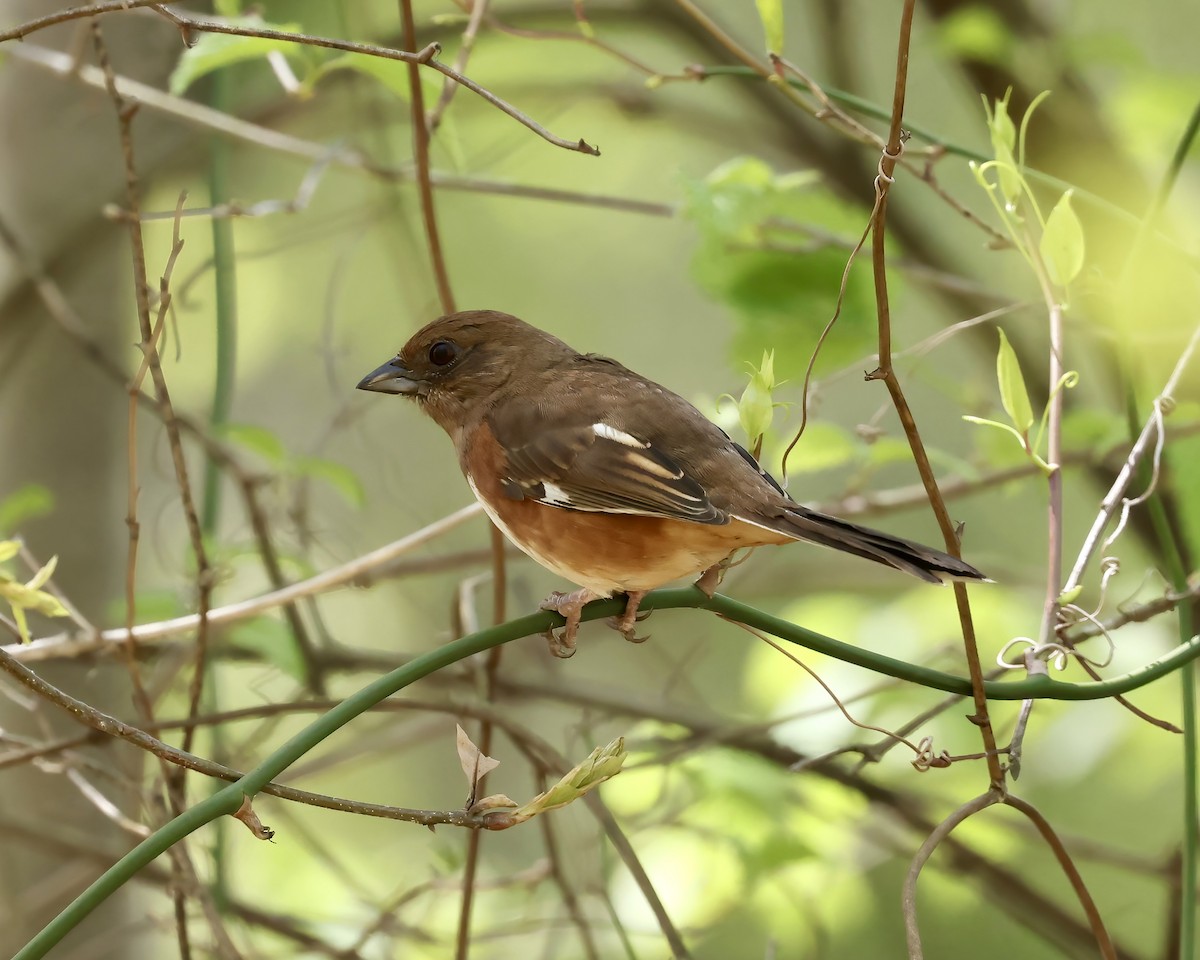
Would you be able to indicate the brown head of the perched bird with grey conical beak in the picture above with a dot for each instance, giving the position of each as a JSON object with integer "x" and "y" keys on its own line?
{"x": 461, "y": 361}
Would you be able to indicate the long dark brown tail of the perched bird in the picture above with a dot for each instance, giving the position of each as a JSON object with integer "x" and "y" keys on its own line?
{"x": 928, "y": 565}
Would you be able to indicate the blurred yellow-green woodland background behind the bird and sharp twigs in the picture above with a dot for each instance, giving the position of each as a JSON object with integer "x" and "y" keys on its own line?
{"x": 748, "y": 209}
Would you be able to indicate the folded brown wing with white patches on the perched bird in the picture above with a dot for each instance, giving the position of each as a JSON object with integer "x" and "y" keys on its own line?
{"x": 601, "y": 469}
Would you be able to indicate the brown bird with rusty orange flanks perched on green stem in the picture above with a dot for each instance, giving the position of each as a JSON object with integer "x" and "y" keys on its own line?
{"x": 607, "y": 478}
